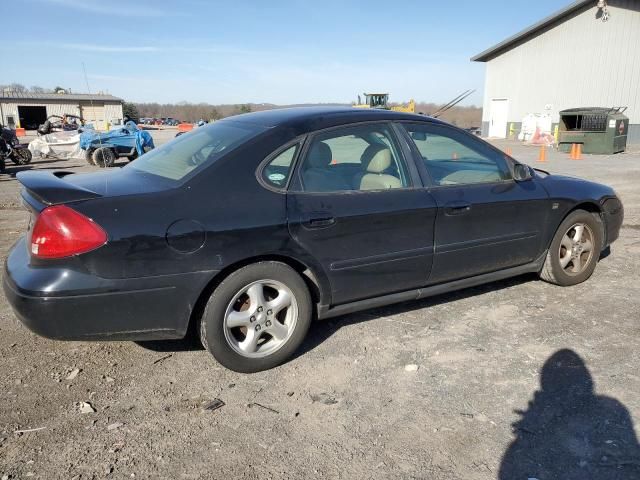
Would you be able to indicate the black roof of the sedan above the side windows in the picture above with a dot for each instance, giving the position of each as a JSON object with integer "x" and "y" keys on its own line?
{"x": 315, "y": 118}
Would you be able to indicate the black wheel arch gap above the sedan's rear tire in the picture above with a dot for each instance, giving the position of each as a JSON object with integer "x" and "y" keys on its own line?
{"x": 305, "y": 272}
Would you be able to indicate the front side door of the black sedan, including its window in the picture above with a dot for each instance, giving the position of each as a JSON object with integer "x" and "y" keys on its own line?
{"x": 486, "y": 220}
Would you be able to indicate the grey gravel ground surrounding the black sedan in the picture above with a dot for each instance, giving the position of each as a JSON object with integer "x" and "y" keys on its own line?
{"x": 427, "y": 389}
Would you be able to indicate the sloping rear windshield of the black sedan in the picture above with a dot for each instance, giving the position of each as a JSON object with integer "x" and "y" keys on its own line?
{"x": 202, "y": 146}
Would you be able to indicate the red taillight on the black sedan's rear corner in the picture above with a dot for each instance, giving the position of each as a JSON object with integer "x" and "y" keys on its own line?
{"x": 60, "y": 232}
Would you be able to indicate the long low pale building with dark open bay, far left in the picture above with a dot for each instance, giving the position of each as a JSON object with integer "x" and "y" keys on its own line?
{"x": 29, "y": 110}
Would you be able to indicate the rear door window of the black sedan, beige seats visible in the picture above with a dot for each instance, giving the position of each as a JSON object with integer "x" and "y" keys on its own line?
{"x": 358, "y": 158}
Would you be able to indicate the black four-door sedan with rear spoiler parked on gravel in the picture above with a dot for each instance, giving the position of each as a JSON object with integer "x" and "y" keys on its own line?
{"x": 251, "y": 227}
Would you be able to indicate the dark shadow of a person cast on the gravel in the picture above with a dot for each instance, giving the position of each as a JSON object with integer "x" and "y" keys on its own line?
{"x": 569, "y": 432}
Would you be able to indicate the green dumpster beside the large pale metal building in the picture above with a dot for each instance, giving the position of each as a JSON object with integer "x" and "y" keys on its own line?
{"x": 599, "y": 130}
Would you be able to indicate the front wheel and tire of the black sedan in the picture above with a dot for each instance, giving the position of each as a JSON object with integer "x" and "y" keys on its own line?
{"x": 575, "y": 249}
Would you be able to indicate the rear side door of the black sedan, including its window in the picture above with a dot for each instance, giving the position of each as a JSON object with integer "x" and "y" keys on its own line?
{"x": 357, "y": 206}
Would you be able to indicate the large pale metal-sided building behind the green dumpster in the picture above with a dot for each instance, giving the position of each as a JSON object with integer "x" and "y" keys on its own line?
{"x": 586, "y": 55}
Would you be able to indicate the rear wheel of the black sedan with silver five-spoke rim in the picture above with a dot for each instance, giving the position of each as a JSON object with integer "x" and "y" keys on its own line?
{"x": 257, "y": 317}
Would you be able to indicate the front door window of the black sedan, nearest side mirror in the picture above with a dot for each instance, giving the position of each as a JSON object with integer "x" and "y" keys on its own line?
{"x": 451, "y": 158}
